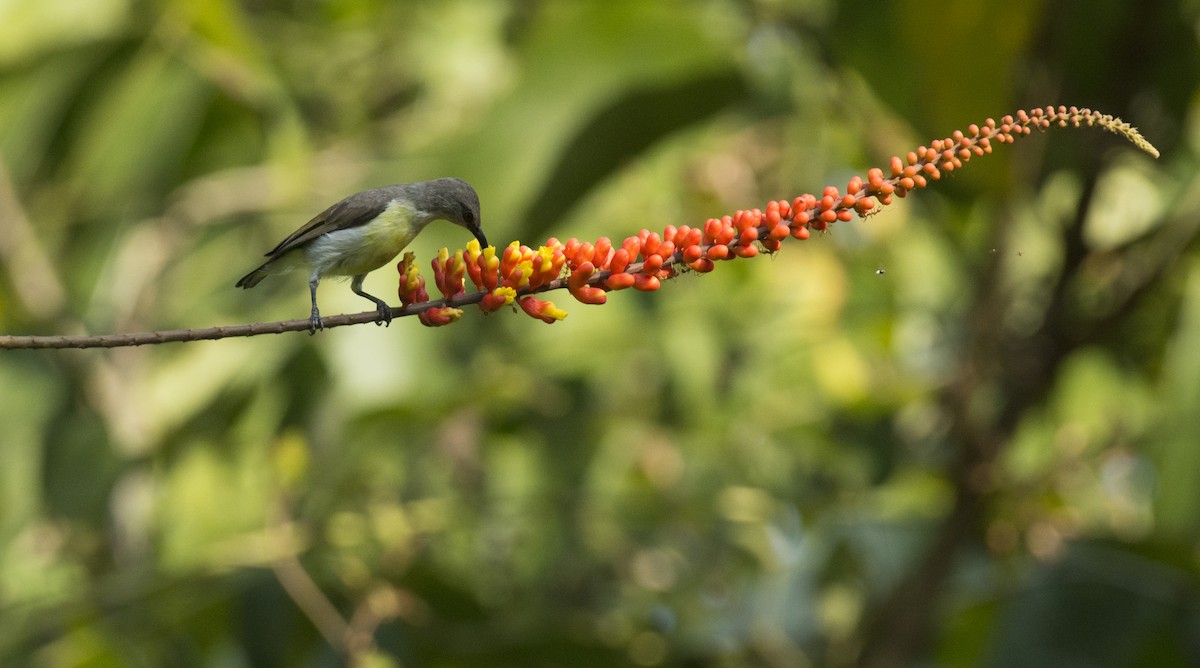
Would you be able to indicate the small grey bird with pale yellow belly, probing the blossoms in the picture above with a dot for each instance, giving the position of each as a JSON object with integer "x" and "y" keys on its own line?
{"x": 365, "y": 232}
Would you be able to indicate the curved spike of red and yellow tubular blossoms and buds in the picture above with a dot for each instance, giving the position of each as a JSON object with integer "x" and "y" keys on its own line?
{"x": 592, "y": 270}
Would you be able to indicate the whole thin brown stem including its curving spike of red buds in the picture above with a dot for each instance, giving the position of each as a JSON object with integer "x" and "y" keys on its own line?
{"x": 751, "y": 231}
